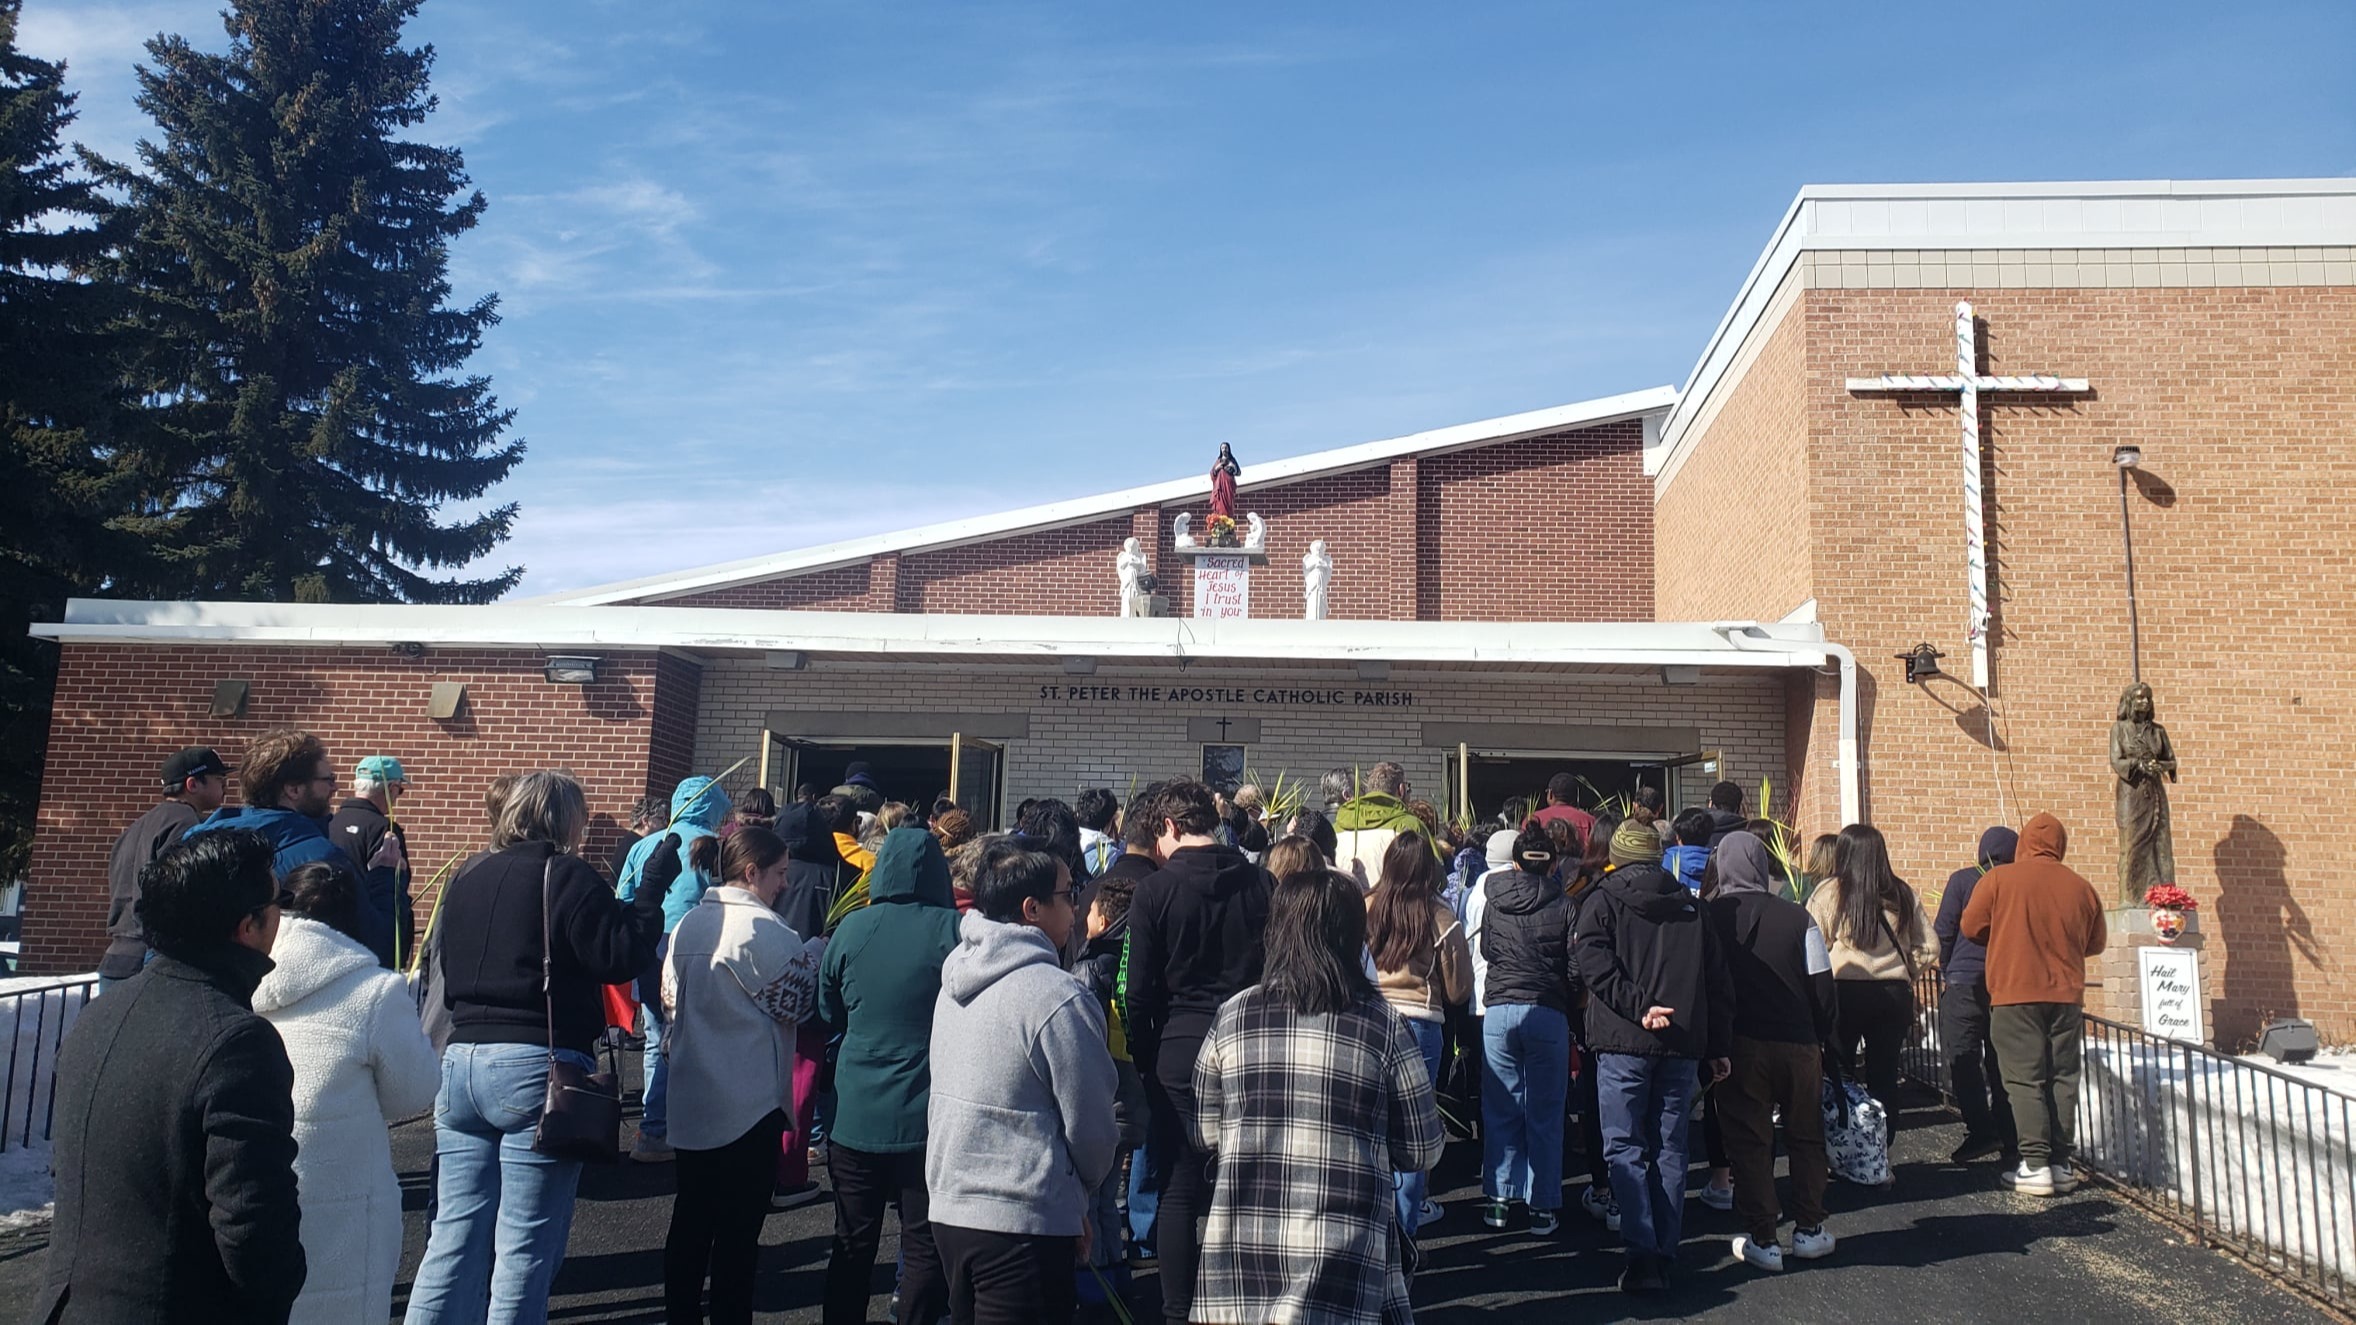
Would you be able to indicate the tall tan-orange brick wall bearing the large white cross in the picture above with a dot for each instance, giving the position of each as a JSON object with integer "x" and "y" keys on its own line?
{"x": 2239, "y": 400}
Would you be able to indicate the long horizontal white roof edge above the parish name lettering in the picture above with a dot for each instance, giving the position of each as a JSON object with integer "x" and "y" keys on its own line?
{"x": 1047, "y": 638}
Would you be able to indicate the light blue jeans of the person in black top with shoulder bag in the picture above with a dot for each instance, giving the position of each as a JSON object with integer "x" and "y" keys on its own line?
{"x": 503, "y": 1213}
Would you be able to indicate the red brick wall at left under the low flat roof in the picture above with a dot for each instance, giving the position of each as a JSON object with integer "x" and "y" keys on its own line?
{"x": 121, "y": 711}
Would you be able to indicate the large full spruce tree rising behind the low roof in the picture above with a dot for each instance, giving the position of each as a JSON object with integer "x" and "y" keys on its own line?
{"x": 289, "y": 258}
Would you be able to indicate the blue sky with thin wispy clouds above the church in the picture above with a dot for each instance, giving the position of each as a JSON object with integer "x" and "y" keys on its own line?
{"x": 779, "y": 275}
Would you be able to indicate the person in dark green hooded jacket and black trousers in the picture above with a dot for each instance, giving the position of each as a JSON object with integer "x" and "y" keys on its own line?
{"x": 878, "y": 984}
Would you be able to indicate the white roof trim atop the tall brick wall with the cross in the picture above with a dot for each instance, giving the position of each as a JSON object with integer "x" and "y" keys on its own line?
{"x": 2112, "y": 213}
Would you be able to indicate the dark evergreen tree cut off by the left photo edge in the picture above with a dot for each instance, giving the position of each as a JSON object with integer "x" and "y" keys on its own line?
{"x": 60, "y": 409}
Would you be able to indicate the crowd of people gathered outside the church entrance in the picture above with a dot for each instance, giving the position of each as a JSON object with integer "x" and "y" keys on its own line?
{"x": 1193, "y": 1031}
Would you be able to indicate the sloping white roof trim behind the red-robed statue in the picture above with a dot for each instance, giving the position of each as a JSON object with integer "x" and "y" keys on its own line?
{"x": 1085, "y": 510}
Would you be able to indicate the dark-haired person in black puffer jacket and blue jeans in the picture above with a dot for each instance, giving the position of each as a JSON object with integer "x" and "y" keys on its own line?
{"x": 1526, "y": 1034}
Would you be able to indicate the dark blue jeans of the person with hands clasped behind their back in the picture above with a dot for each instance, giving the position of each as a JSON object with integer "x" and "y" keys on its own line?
{"x": 1646, "y": 1107}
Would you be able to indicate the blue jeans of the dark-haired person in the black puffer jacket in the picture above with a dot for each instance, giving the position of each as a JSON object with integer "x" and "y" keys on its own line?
{"x": 1523, "y": 1090}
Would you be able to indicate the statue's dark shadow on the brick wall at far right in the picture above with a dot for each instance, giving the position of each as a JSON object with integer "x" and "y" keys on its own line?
{"x": 2263, "y": 928}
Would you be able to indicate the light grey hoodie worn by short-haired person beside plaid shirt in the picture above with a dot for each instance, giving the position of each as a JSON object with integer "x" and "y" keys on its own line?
{"x": 1021, "y": 1119}
